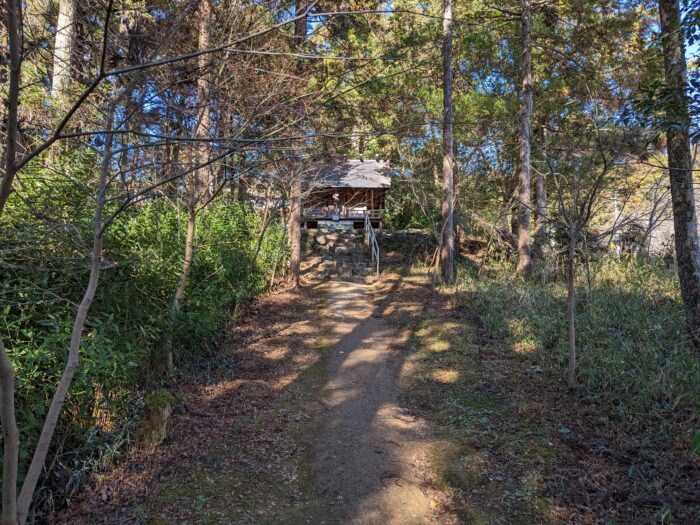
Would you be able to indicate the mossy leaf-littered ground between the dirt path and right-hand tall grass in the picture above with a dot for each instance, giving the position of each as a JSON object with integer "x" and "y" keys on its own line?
{"x": 514, "y": 445}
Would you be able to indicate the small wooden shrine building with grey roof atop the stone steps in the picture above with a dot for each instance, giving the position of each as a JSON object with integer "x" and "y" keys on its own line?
{"x": 345, "y": 192}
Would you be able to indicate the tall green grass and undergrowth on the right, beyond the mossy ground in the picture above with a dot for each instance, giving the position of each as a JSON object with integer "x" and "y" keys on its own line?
{"x": 630, "y": 337}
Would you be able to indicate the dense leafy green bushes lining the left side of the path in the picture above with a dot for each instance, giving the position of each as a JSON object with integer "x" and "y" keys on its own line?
{"x": 44, "y": 269}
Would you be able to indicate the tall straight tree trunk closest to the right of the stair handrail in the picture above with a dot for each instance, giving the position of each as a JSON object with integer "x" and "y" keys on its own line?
{"x": 447, "y": 253}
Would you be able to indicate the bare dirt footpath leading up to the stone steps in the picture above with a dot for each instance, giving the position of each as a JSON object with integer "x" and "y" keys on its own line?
{"x": 367, "y": 458}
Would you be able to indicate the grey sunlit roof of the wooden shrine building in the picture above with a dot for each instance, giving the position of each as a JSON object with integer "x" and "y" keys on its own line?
{"x": 354, "y": 173}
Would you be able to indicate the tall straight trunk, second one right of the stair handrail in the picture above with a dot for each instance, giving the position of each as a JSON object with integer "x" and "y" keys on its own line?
{"x": 524, "y": 255}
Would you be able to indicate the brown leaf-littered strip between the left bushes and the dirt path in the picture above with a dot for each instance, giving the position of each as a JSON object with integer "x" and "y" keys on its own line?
{"x": 230, "y": 456}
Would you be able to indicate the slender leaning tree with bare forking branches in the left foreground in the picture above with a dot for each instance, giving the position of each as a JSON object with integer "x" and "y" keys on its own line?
{"x": 16, "y": 509}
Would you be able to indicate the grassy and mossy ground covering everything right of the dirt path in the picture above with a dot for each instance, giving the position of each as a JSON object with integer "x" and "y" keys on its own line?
{"x": 486, "y": 365}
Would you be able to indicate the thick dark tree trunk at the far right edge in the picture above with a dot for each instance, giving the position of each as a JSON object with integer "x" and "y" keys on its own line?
{"x": 680, "y": 165}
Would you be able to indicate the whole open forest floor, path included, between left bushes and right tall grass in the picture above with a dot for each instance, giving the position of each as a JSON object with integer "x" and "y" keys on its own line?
{"x": 301, "y": 418}
